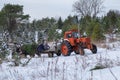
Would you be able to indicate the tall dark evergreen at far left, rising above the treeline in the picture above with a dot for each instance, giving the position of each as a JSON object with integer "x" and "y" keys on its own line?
{"x": 12, "y": 16}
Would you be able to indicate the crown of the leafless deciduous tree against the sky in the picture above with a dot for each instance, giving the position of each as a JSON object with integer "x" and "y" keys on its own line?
{"x": 88, "y": 7}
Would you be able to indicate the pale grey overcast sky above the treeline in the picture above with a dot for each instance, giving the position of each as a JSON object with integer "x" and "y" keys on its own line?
{"x": 38, "y": 9}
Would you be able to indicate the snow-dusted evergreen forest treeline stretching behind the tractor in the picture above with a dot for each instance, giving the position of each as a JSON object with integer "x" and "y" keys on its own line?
{"x": 16, "y": 26}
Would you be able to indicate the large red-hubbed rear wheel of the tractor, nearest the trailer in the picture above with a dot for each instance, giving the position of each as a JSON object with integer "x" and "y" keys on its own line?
{"x": 66, "y": 48}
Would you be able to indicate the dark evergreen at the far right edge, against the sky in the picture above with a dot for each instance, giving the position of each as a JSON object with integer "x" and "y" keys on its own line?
{"x": 111, "y": 21}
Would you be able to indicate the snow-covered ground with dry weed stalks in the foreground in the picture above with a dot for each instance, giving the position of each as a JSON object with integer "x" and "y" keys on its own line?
{"x": 74, "y": 67}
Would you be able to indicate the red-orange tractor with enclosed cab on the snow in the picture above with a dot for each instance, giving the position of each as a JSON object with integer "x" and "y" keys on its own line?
{"x": 74, "y": 42}
